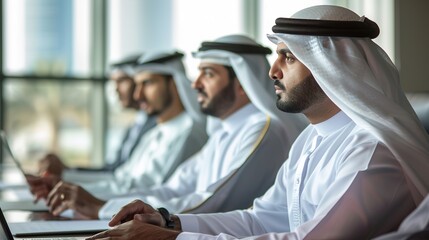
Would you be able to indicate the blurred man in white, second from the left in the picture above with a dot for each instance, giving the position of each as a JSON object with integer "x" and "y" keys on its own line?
{"x": 162, "y": 90}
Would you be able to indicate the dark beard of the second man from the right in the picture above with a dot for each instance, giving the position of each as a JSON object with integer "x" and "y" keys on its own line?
{"x": 221, "y": 102}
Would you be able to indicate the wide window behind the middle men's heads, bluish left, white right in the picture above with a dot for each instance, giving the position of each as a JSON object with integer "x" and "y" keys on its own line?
{"x": 137, "y": 26}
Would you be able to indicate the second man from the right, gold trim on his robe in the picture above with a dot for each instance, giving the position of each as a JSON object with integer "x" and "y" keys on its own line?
{"x": 250, "y": 137}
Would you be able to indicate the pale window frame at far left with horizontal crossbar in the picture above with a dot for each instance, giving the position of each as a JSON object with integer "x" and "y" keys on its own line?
{"x": 97, "y": 76}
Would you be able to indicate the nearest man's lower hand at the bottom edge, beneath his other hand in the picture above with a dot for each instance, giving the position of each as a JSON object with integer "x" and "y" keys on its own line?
{"x": 136, "y": 230}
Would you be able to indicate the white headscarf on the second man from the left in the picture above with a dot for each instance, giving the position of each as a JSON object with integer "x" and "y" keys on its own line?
{"x": 170, "y": 63}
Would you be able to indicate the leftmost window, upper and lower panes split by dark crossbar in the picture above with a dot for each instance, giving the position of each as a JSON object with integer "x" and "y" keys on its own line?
{"x": 50, "y": 91}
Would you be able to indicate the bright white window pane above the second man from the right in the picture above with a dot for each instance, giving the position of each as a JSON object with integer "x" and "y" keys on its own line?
{"x": 196, "y": 21}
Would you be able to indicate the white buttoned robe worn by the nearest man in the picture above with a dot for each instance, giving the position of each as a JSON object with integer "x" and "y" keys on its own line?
{"x": 351, "y": 188}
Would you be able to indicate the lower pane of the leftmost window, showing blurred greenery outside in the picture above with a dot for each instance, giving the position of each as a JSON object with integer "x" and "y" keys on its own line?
{"x": 46, "y": 116}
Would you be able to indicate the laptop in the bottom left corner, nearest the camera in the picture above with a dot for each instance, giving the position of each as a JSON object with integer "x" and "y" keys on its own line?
{"x": 6, "y": 233}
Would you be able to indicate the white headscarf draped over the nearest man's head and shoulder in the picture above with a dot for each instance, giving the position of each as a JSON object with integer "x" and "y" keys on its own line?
{"x": 358, "y": 76}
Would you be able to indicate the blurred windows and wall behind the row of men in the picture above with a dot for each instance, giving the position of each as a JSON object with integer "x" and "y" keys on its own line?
{"x": 54, "y": 92}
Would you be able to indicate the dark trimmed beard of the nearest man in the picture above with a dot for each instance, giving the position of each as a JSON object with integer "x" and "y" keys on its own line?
{"x": 301, "y": 97}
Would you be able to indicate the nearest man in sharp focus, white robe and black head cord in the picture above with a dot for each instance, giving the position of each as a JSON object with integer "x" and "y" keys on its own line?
{"x": 355, "y": 172}
